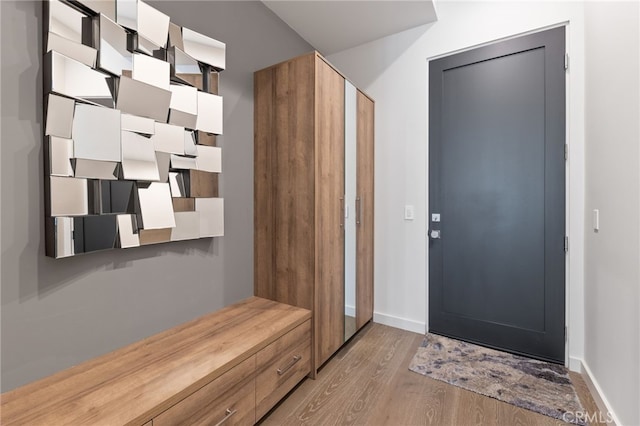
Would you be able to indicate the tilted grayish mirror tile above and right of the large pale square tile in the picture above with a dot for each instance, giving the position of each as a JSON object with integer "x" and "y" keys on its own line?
{"x": 145, "y": 100}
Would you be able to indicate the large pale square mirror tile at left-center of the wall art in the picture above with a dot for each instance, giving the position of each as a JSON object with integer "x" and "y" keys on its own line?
{"x": 96, "y": 133}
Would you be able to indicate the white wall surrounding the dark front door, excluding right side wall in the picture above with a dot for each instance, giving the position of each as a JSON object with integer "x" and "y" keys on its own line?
{"x": 393, "y": 70}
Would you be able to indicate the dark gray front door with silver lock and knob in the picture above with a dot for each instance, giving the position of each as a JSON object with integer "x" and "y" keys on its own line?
{"x": 497, "y": 180}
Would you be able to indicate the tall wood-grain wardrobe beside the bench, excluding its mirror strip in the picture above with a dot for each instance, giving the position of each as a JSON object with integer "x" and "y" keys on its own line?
{"x": 299, "y": 196}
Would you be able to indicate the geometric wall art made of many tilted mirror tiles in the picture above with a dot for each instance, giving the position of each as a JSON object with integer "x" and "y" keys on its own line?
{"x": 131, "y": 111}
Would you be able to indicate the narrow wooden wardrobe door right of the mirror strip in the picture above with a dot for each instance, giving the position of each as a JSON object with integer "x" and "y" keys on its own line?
{"x": 364, "y": 191}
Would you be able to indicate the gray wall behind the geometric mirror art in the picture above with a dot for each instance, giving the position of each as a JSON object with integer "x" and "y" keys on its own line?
{"x": 57, "y": 313}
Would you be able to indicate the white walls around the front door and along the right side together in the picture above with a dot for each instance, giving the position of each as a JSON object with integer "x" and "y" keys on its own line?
{"x": 603, "y": 107}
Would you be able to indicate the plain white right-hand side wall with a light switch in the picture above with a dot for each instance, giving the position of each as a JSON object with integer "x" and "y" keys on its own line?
{"x": 612, "y": 255}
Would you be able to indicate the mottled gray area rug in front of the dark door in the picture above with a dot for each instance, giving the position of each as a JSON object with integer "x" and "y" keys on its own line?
{"x": 527, "y": 383}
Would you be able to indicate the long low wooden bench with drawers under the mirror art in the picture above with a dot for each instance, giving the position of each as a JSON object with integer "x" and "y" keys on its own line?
{"x": 230, "y": 366}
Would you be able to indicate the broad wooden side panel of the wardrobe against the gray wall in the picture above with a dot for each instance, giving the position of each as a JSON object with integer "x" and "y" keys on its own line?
{"x": 284, "y": 185}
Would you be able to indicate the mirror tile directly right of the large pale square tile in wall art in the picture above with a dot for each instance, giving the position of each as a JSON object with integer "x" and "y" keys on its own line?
{"x": 138, "y": 158}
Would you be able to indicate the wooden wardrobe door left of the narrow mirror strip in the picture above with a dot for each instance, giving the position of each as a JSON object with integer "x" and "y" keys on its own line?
{"x": 329, "y": 194}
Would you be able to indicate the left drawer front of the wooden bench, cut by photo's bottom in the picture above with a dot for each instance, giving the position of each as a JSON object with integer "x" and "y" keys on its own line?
{"x": 233, "y": 391}
